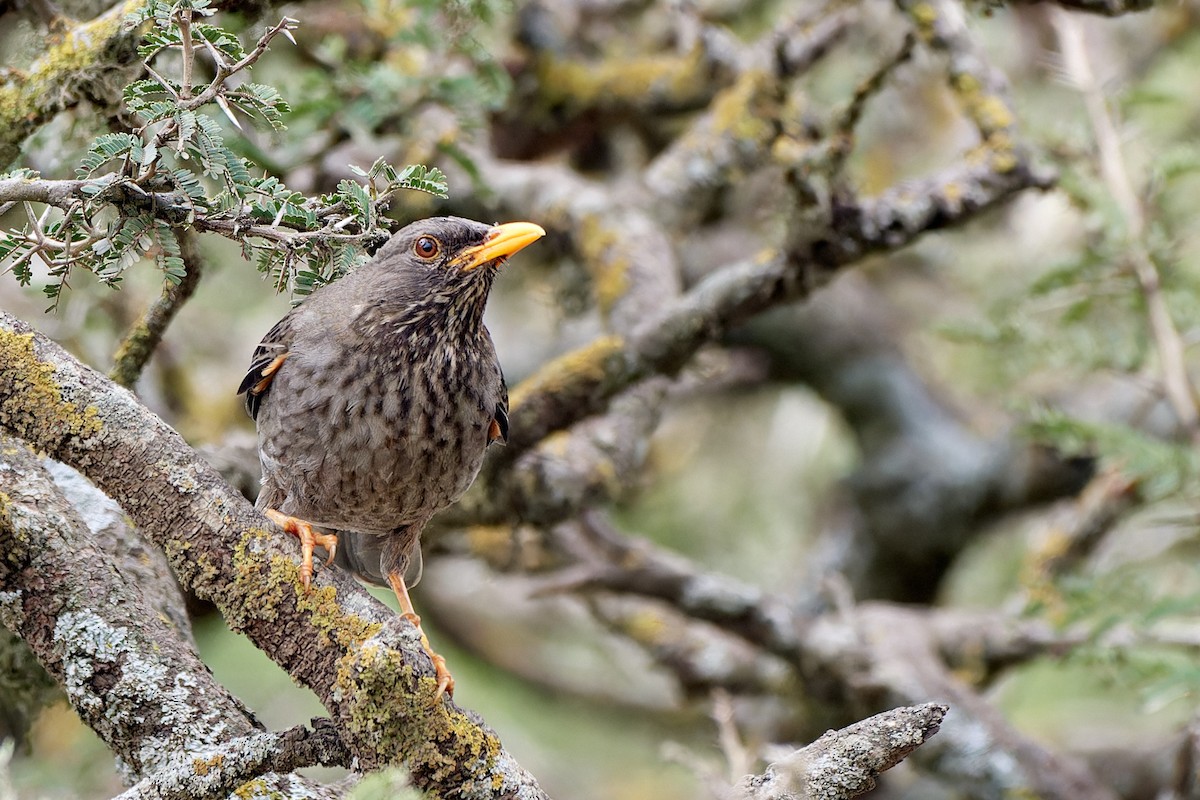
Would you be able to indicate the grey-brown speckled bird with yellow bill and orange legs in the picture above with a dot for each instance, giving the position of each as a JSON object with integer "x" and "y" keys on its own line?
{"x": 376, "y": 399}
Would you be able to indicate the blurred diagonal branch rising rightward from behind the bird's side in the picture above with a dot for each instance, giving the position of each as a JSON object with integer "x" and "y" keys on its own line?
{"x": 581, "y": 383}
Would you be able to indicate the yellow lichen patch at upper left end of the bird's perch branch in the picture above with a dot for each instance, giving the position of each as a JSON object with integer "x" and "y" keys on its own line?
{"x": 32, "y": 401}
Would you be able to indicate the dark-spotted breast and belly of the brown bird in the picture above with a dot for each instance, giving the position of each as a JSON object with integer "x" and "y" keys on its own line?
{"x": 374, "y": 443}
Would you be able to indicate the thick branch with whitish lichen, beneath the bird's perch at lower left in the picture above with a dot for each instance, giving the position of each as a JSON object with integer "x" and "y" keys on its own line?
{"x": 128, "y": 673}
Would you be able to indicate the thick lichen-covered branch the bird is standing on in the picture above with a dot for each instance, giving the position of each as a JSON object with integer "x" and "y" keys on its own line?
{"x": 364, "y": 663}
